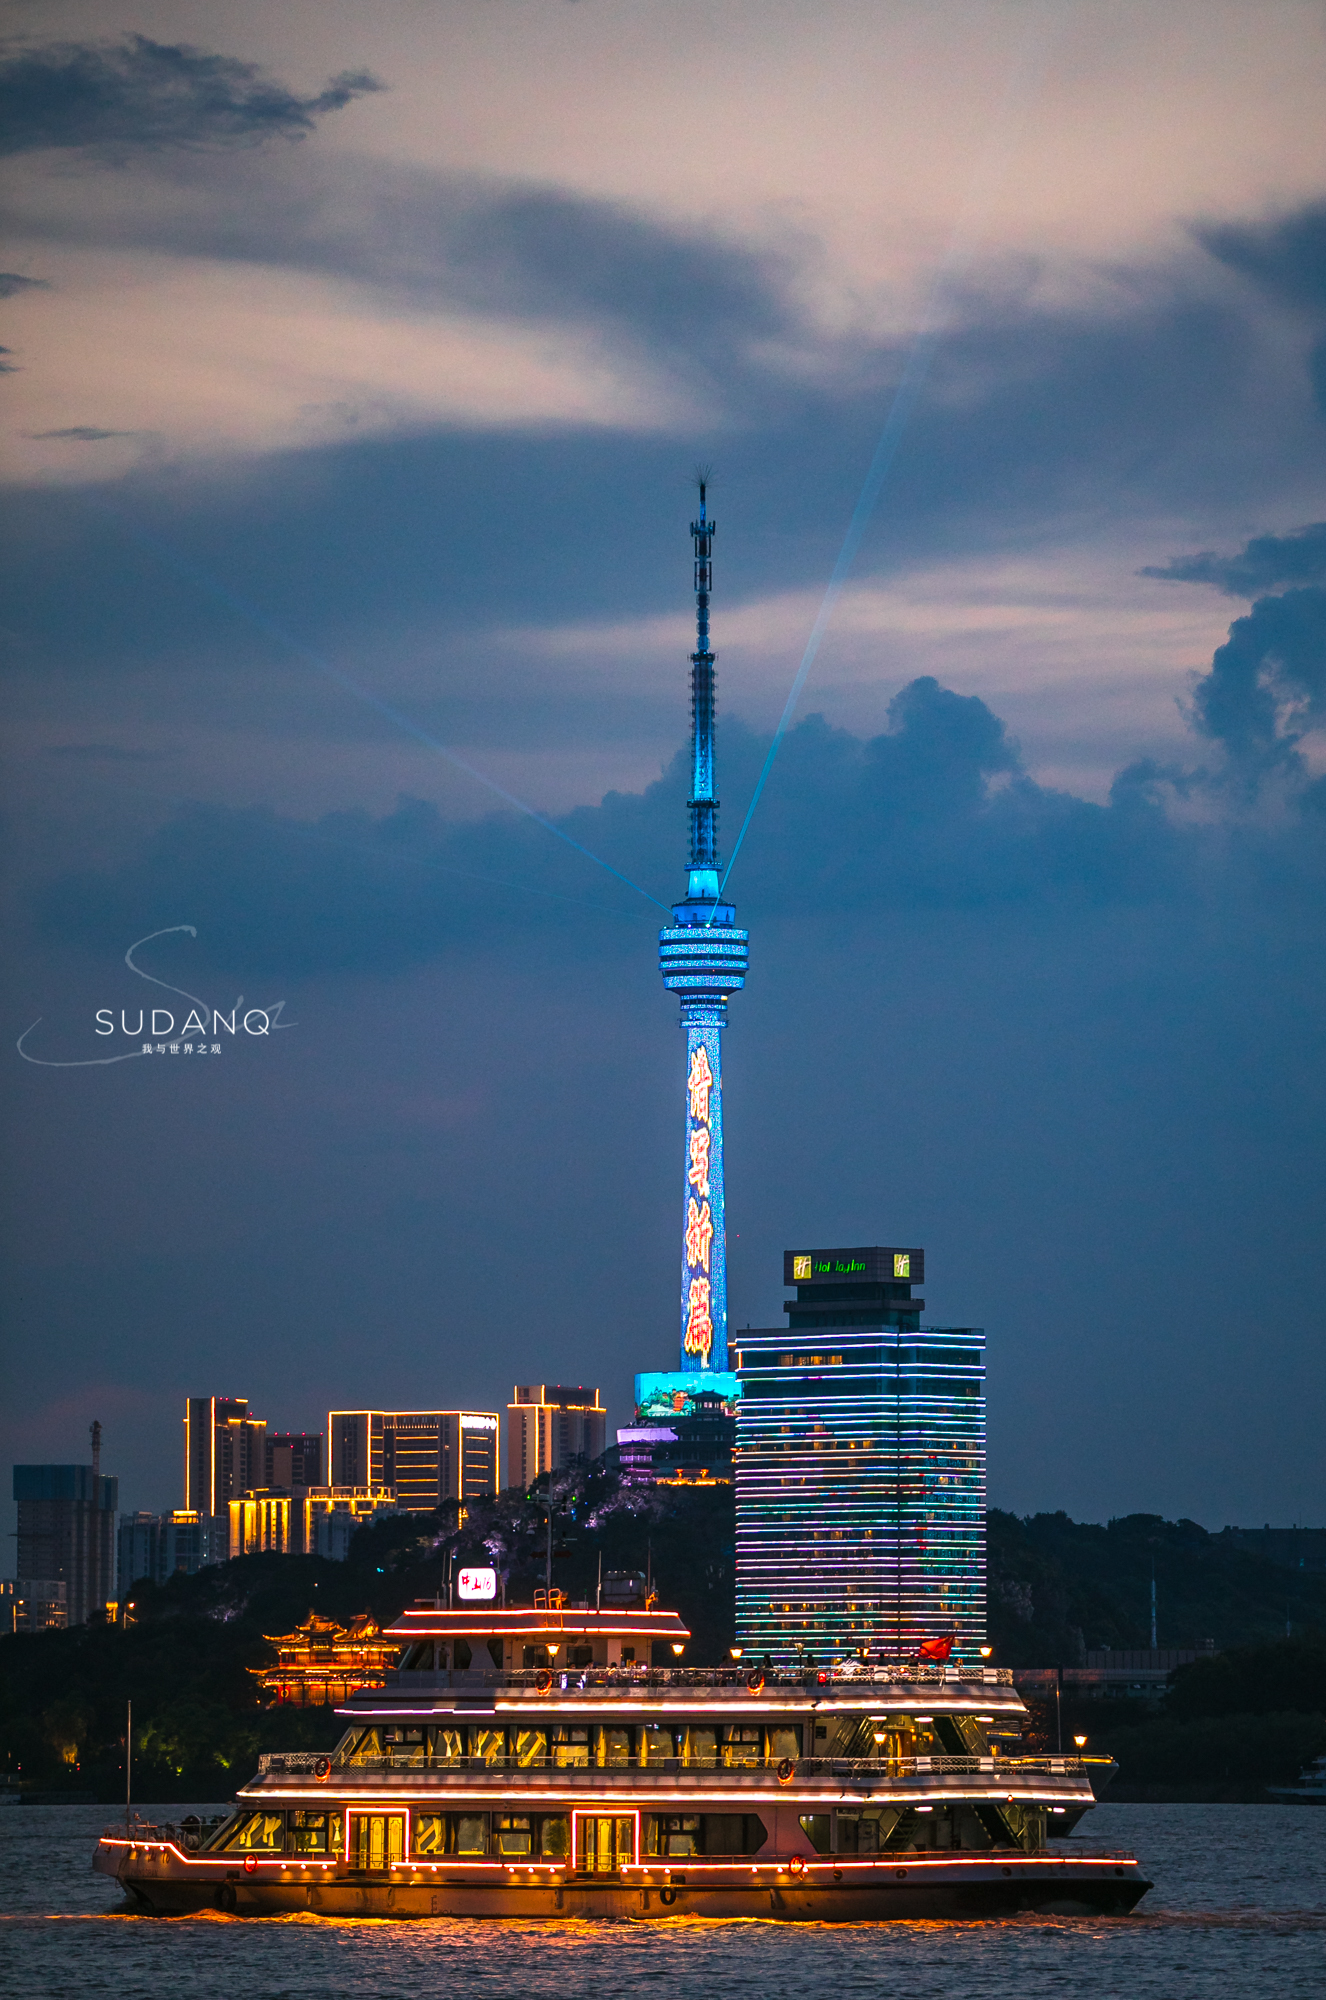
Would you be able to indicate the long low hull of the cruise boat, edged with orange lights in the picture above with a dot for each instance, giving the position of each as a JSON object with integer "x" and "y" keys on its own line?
{"x": 961, "y": 1889}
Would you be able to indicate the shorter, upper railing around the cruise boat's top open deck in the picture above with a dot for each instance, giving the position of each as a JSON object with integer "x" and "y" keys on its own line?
{"x": 737, "y": 1679}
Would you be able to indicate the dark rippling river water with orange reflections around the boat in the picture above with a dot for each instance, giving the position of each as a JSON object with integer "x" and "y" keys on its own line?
{"x": 1239, "y": 1909}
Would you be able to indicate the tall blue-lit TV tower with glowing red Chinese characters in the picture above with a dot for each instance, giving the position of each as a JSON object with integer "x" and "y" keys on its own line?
{"x": 703, "y": 959}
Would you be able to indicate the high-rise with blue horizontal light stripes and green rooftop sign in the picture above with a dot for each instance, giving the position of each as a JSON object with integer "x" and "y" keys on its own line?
{"x": 861, "y": 1469}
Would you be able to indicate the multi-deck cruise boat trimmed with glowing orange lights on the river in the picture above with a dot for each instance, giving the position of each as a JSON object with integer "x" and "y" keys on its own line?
{"x": 545, "y": 1763}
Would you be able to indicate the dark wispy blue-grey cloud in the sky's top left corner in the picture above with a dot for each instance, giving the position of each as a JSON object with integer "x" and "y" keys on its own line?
{"x": 133, "y": 97}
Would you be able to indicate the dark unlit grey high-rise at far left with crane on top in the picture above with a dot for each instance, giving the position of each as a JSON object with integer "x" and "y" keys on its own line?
{"x": 67, "y": 1535}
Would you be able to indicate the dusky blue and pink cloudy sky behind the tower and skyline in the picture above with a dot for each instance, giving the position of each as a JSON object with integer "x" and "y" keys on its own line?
{"x": 357, "y": 361}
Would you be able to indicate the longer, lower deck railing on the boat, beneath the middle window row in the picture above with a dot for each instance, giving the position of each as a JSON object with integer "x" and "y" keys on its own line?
{"x": 917, "y": 1769}
